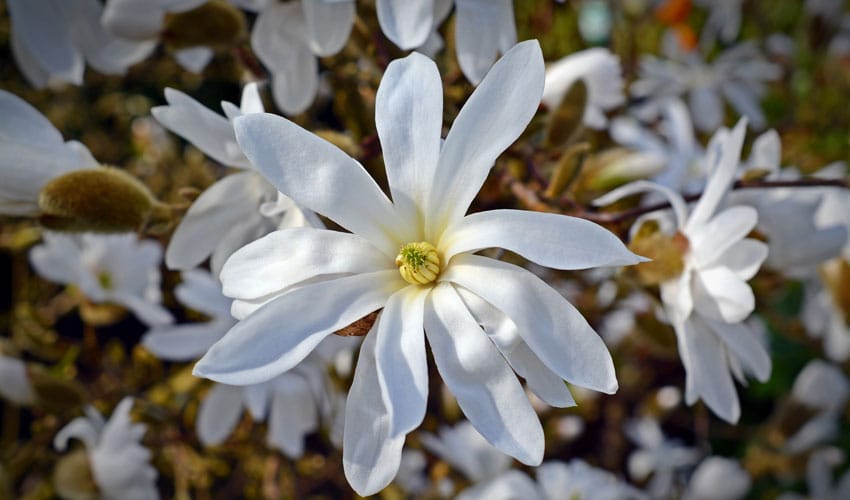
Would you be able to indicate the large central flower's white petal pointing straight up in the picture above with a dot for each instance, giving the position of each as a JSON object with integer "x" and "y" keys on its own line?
{"x": 408, "y": 116}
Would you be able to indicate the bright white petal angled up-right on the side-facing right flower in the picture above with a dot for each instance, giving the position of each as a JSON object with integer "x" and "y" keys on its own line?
{"x": 730, "y": 226}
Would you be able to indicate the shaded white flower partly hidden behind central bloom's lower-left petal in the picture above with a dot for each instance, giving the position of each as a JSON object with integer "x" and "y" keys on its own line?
{"x": 293, "y": 401}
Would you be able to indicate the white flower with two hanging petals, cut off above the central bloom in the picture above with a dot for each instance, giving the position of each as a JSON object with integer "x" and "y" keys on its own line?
{"x": 483, "y": 28}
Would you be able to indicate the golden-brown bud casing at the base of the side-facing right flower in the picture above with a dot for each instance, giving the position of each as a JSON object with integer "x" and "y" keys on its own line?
{"x": 667, "y": 253}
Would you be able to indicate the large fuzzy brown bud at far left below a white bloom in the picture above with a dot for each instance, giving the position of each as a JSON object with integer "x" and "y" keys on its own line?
{"x": 102, "y": 199}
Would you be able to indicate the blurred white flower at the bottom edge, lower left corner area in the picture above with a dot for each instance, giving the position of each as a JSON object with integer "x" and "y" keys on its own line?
{"x": 119, "y": 463}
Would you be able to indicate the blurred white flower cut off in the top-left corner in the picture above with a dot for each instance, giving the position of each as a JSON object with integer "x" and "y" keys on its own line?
{"x": 53, "y": 39}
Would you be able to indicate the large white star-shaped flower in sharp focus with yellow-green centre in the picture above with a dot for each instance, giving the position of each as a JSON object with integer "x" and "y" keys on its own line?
{"x": 414, "y": 257}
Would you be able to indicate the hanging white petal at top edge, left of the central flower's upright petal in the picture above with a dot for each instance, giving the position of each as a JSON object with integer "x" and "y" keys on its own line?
{"x": 328, "y": 24}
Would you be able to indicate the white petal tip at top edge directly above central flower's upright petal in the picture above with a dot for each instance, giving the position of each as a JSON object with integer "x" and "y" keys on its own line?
{"x": 407, "y": 23}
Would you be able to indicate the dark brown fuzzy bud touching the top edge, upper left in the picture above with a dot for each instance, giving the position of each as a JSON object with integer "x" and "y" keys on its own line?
{"x": 214, "y": 24}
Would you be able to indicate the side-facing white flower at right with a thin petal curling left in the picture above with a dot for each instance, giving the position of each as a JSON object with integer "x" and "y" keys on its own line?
{"x": 709, "y": 300}
